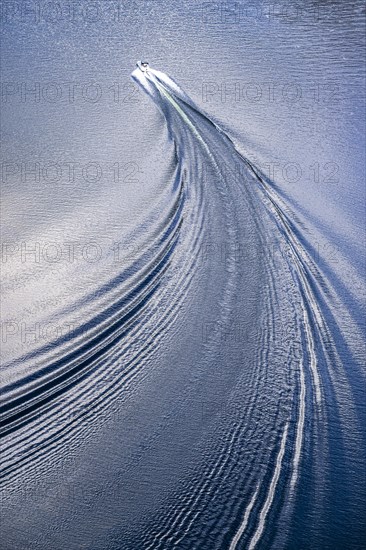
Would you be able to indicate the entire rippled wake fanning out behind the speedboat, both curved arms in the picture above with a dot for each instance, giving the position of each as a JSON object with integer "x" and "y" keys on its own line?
{"x": 292, "y": 398}
